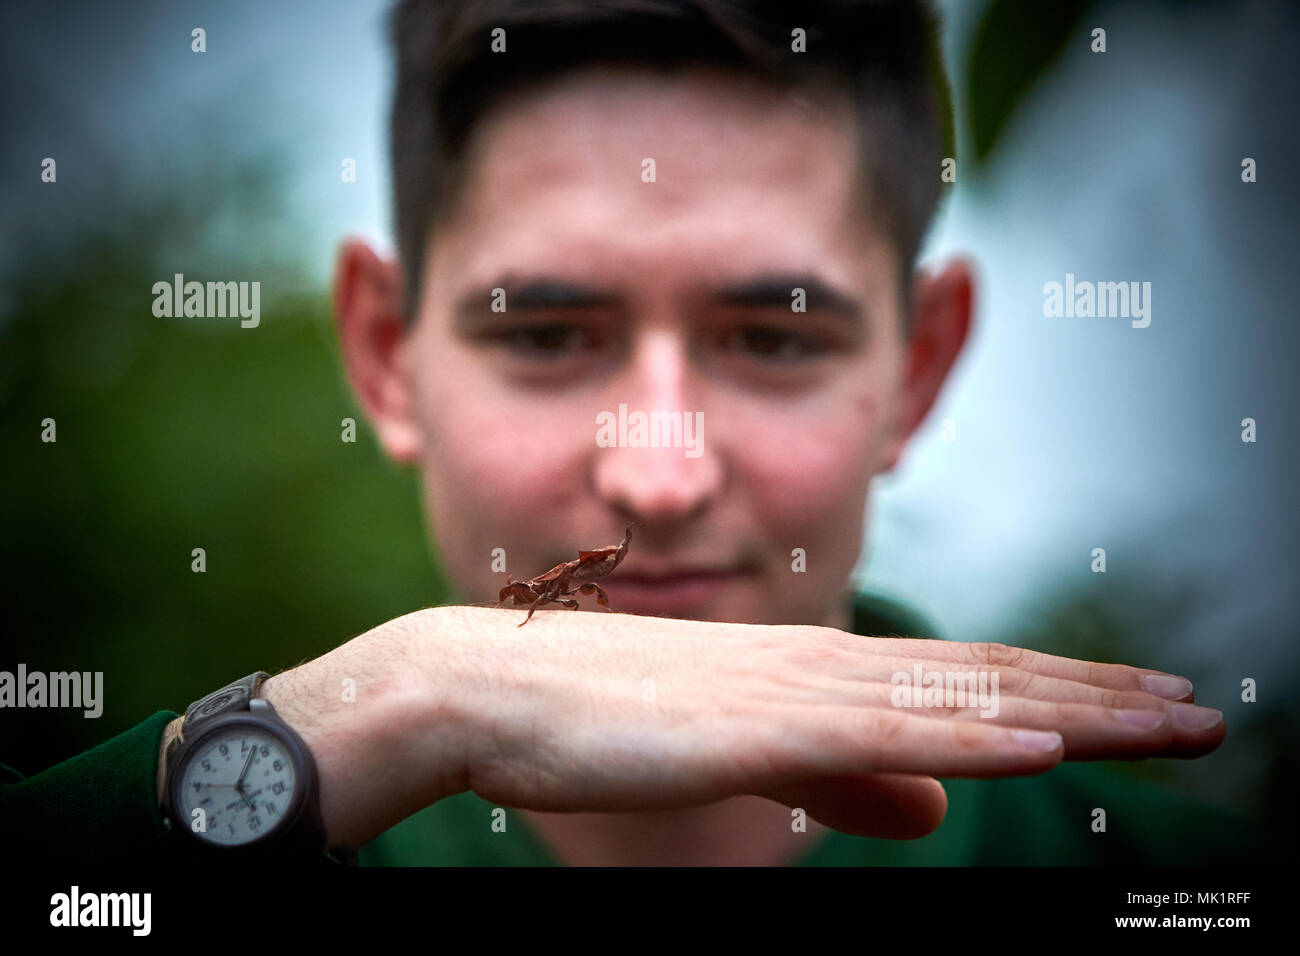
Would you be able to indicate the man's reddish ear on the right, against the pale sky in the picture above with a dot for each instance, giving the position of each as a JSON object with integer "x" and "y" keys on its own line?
{"x": 943, "y": 306}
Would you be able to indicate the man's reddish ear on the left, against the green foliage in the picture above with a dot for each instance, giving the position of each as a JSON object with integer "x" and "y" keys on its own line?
{"x": 375, "y": 345}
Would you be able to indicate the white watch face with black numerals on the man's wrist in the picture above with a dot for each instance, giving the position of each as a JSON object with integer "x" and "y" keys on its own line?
{"x": 236, "y": 786}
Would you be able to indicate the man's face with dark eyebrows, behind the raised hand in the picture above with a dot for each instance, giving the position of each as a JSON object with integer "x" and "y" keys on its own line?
{"x": 666, "y": 296}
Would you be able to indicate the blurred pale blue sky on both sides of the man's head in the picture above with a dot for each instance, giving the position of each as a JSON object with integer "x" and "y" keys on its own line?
{"x": 1072, "y": 434}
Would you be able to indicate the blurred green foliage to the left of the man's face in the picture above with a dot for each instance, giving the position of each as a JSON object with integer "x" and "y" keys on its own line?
{"x": 183, "y": 434}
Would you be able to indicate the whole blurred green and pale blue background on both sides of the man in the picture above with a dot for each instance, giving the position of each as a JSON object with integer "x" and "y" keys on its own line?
{"x": 197, "y": 434}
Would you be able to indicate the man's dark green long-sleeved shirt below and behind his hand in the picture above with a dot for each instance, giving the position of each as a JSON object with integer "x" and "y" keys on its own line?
{"x": 101, "y": 806}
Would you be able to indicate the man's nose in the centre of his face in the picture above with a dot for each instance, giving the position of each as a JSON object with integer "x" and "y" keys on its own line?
{"x": 683, "y": 477}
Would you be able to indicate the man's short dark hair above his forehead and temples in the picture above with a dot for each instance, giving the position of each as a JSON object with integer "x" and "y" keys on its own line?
{"x": 885, "y": 55}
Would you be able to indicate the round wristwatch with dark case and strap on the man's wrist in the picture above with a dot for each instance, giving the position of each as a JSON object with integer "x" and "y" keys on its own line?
{"x": 241, "y": 785}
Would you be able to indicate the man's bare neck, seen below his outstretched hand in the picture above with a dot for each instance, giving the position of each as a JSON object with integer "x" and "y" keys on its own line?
{"x": 740, "y": 832}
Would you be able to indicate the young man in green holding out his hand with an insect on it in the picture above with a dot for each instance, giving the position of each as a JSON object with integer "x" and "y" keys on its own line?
{"x": 701, "y": 209}
